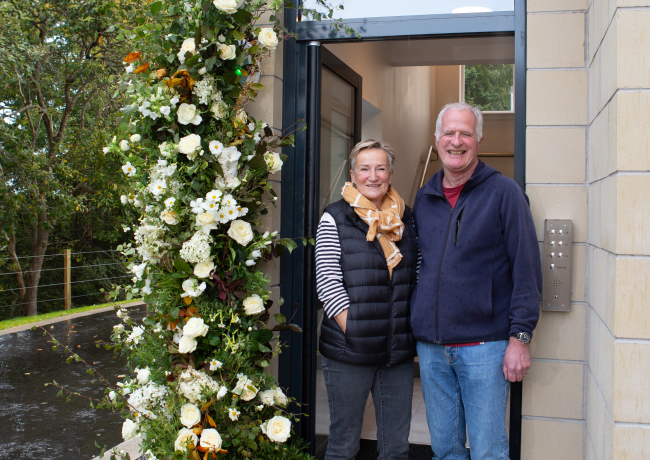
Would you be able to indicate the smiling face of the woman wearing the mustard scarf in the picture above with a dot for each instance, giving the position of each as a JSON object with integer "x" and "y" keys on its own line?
{"x": 372, "y": 174}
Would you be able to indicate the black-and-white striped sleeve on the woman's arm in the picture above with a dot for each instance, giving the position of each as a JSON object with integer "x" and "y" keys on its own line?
{"x": 329, "y": 276}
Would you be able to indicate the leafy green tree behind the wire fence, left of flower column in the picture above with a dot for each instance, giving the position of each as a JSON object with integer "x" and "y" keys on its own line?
{"x": 58, "y": 60}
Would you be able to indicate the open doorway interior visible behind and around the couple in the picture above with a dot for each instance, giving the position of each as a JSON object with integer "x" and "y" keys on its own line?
{"x": 393, "y": 90}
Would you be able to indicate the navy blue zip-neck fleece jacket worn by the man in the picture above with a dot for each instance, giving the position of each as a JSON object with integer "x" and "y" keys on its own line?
{"x": 480, "y": 278}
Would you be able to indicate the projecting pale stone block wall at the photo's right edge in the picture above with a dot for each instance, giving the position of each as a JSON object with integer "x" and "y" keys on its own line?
{"x": 618, "y": 295}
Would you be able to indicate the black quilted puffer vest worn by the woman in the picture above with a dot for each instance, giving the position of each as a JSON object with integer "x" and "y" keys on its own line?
{"x": 378, "y": 330}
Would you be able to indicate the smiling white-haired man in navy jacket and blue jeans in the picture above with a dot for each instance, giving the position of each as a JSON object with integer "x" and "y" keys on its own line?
{"x": 477, "y": 299}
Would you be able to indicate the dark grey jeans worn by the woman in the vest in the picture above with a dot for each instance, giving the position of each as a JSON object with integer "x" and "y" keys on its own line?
{"x": 348, "y": 387}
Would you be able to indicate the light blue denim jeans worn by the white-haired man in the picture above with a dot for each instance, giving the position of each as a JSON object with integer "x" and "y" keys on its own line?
{"x": 465, "y": 387}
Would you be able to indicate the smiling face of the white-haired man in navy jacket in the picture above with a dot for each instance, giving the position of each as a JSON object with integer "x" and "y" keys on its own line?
{"x": 458, "y": 143}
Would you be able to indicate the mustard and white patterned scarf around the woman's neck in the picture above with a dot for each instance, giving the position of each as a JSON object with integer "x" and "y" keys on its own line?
{"x": 384, "y": 223}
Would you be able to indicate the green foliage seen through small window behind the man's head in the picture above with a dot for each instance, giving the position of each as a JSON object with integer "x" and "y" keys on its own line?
{"x": 489, "y": 86}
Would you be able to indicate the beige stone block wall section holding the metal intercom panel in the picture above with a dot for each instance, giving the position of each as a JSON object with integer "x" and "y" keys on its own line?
{"x": 553, "y": 423}
